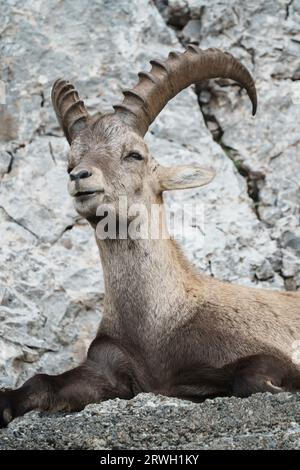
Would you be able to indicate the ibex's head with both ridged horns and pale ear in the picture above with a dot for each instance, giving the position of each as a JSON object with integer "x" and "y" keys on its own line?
{"x": 109, "y": 156}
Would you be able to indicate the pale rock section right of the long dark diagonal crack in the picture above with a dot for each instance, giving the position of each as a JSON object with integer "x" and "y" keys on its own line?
{"x": 266, "y": 37}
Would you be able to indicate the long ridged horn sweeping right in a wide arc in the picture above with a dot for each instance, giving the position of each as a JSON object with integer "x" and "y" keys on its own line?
{"x": 166, "y": 79}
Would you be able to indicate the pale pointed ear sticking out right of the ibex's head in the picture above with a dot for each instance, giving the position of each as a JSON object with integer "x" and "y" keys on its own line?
{"x": 184, "y": 176}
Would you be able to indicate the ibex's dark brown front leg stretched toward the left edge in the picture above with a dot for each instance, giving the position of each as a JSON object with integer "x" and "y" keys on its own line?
{"x": 92, "y": 382}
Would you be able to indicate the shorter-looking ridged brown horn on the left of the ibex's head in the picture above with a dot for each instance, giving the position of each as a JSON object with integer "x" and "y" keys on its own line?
{"x": 70, "y": 110}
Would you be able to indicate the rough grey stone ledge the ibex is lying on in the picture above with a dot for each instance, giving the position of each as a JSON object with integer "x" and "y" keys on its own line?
{"x": 155, "y": 422}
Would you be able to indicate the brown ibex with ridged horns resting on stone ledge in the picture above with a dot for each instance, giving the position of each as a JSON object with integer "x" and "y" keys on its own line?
{"x": 165, "y": 328}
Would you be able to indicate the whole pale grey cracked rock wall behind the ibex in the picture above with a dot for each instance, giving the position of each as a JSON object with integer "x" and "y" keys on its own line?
{"x": 51, "y": 284}
